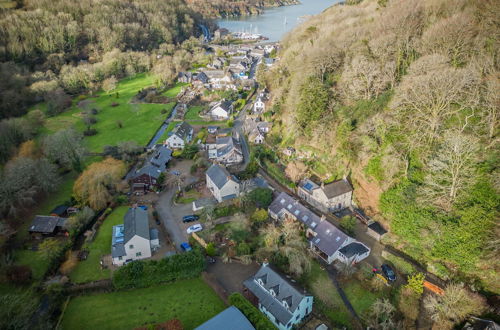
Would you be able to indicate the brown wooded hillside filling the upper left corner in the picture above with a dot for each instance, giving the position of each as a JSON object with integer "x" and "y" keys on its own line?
{"x": 42, "y": 43}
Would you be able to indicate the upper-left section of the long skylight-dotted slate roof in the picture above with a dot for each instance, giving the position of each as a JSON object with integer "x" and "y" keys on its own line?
{"x": 302, "y": 213}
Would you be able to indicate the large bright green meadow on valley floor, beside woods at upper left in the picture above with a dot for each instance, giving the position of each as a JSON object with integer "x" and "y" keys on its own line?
{"x": 138, "y": 121}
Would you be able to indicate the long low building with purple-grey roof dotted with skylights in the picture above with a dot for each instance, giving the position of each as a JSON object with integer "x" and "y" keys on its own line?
{"x": 326, "y": 240}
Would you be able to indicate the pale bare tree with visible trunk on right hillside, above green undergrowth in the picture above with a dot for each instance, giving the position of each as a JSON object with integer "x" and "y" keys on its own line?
{"x": 451, "y": 170}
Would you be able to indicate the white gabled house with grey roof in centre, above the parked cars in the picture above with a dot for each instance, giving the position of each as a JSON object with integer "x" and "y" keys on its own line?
{"x": 221, "y": 184}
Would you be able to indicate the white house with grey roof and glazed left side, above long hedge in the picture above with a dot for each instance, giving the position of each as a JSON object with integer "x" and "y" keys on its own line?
{"x": 133, "y": 240}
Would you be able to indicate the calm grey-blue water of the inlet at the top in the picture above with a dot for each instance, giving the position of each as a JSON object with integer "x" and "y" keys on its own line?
{"x": 275, "y": 22}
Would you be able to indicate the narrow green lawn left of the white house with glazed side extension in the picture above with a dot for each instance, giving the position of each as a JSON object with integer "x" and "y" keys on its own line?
{"x": 90, "y": 269}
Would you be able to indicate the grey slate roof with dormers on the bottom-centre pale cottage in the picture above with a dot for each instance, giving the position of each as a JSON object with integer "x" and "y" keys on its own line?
{"x": 287, "y": 292}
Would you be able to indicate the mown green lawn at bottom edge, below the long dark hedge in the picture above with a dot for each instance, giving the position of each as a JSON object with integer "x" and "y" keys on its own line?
{"x": 190, "y": 301}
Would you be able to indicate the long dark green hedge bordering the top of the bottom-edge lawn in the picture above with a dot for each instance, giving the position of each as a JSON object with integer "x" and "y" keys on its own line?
{"x": 140, "y": 274}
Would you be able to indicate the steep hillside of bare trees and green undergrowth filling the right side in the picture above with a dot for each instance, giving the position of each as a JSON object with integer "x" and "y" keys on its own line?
{"x": 403, "y": 96}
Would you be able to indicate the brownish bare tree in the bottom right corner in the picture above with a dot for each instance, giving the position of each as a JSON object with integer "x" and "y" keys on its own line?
{"x": 455, "y": 305}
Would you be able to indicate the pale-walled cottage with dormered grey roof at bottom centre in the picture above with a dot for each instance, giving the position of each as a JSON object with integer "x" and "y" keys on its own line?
{"x": 283, "y": 303}
